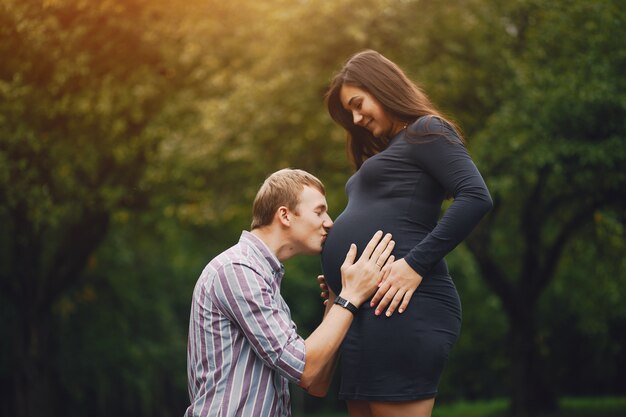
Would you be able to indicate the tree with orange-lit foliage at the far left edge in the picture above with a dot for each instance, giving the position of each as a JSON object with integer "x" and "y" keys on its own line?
{"x": 82, "y": 87}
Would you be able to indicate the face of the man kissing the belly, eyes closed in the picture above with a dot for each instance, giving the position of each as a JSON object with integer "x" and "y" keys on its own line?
{"x": 310, "y": 222}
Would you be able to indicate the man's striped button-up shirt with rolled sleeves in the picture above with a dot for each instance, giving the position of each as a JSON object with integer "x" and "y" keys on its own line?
{"x": 243, "y": 348}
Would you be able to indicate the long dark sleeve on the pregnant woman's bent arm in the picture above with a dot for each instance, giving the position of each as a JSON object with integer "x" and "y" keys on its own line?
{"x": 443, "y": 156}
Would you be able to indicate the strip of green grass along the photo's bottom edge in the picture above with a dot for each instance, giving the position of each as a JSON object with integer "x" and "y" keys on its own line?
{"x": 570, "y": 407}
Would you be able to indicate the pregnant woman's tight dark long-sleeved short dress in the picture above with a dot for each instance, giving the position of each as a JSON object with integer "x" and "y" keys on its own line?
{"x": 400, "y": 191}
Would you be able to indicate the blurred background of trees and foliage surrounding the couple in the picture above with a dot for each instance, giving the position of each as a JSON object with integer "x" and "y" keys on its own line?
{"x": 135, "y": 133}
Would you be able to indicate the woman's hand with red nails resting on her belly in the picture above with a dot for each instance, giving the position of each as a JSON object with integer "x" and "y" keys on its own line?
{"x": 396, "y": 289}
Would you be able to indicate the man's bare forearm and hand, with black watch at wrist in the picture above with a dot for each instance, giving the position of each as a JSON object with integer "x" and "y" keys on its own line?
{"x": 359, "y": 281}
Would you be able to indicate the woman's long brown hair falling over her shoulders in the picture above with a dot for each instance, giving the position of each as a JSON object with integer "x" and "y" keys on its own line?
{"x": 387, "y": 83}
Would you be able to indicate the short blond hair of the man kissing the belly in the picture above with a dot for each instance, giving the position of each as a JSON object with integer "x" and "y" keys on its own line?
{"x": 282, "y": 188}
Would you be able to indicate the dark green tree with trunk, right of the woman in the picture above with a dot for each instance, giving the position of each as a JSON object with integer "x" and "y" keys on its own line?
{"x": 553, "y": 155}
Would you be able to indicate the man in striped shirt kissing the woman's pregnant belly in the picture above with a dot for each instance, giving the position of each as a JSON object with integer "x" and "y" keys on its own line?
{"x": 243, "y": 347}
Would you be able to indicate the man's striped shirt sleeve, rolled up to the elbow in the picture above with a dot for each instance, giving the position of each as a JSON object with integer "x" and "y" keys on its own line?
{"x": 247, "y": 298}
